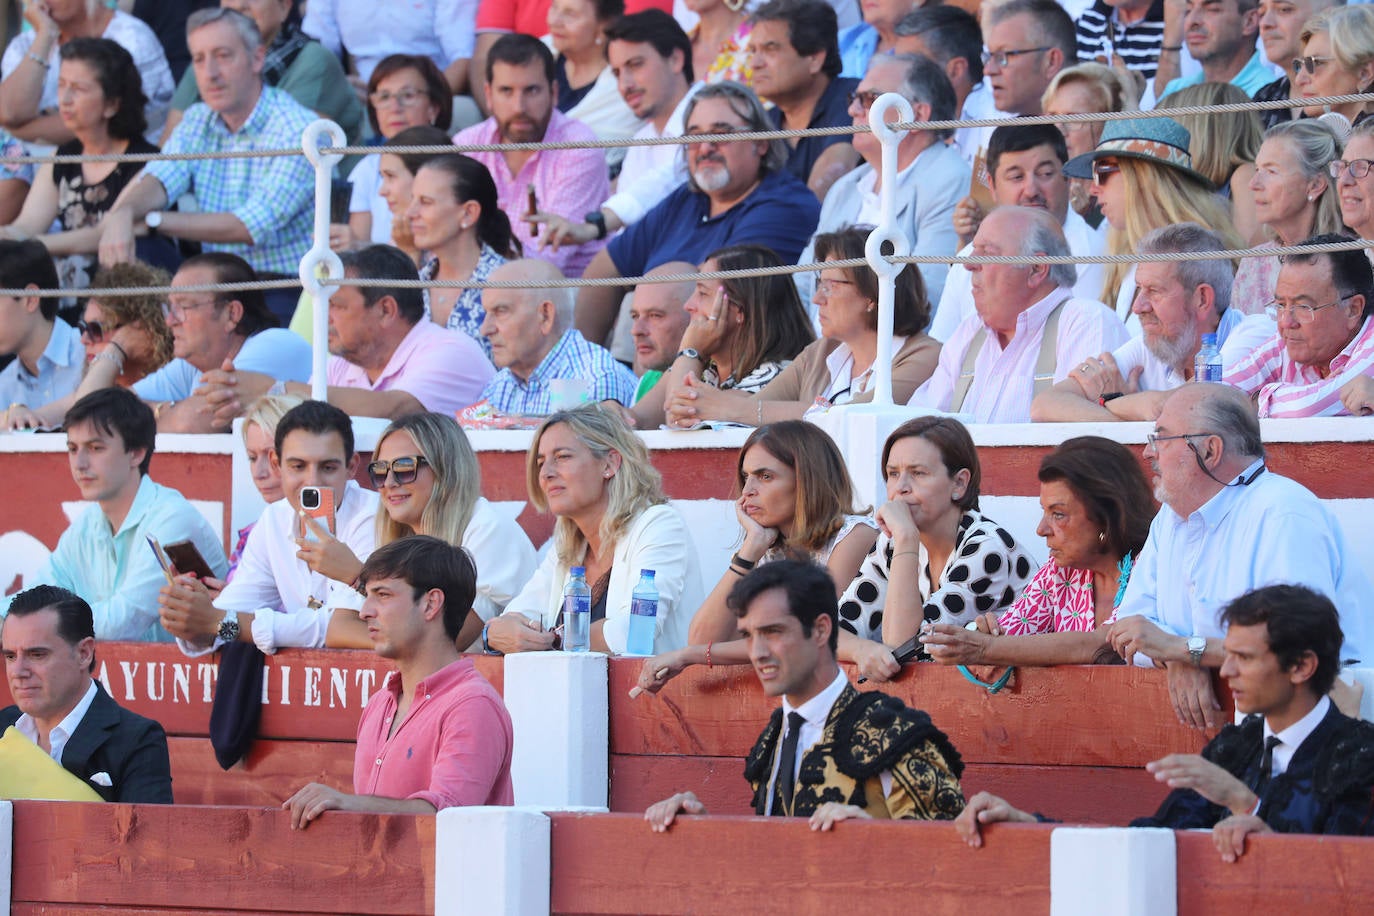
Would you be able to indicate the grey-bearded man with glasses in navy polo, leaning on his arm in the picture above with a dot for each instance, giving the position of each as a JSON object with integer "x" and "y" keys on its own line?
{"x": 737, "y": 193}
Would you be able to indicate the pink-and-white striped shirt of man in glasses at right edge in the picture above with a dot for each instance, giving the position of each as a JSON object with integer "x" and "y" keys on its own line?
{"x": 1284, "y": 388}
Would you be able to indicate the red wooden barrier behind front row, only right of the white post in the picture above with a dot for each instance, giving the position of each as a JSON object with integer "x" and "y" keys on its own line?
{"x": 1070, "y": 742}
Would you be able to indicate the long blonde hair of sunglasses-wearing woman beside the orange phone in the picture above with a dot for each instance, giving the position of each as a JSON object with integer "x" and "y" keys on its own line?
{"x": 458, "y": 480}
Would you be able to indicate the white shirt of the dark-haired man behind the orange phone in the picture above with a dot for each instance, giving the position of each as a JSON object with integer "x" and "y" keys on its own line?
{"x": 277, "y": 588}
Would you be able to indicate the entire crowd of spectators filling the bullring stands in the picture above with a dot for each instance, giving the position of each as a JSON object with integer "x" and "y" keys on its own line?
{"x": 1131, "y": 576}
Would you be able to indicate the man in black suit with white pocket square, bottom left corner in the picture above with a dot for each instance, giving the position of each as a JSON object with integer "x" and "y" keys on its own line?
{"x": 49, "y": 642}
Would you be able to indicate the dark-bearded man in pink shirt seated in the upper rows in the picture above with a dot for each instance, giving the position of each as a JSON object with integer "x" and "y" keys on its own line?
{"x": 568, "y": 183}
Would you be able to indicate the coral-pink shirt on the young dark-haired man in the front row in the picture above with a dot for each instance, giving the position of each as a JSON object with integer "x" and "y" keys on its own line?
{"x": 453, "y": 749}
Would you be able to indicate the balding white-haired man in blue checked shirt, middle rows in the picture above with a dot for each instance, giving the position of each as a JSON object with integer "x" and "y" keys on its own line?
{"x": 534, "y": 344}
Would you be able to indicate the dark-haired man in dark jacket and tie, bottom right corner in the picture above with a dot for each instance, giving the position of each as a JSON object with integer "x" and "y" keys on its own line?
{"x": 1295, "y": 766}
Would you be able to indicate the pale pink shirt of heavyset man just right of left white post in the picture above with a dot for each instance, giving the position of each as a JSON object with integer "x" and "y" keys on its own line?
{"x": 443, "y": 370}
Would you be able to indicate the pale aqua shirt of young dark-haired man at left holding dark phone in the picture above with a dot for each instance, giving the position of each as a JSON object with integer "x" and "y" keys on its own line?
{"x": 117, "y": 572}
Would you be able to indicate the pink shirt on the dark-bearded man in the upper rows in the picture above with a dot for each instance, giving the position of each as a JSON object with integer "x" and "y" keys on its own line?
{"x": 571, "y": 183}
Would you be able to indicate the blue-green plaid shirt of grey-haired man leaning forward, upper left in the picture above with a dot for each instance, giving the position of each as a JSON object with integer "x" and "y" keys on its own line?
{"x": 273, "y": 197}
